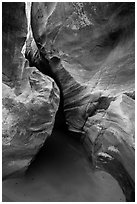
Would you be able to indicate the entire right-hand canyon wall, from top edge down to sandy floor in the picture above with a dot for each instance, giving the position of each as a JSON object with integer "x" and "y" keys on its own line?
{"x": 90, "y": 50}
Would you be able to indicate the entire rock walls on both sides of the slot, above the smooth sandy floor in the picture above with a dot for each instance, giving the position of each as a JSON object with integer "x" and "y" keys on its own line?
{"x": 88, "y": 51}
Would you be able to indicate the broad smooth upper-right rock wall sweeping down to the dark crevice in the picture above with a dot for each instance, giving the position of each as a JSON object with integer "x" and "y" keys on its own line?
{"x": 103, "y": 69}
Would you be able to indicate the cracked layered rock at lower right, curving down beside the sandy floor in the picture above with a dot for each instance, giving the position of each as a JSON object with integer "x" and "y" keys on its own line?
{"x": 109, "y": 140}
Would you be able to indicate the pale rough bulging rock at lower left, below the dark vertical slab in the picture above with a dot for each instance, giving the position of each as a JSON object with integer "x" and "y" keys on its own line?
{"x": 28, "y": 120}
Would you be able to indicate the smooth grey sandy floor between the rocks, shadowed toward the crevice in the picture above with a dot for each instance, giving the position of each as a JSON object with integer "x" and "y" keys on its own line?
{"x": 61, "y": 172}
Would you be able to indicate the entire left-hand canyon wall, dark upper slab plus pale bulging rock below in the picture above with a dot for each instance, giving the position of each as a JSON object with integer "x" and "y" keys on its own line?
{"x": 30, "y": 99}
